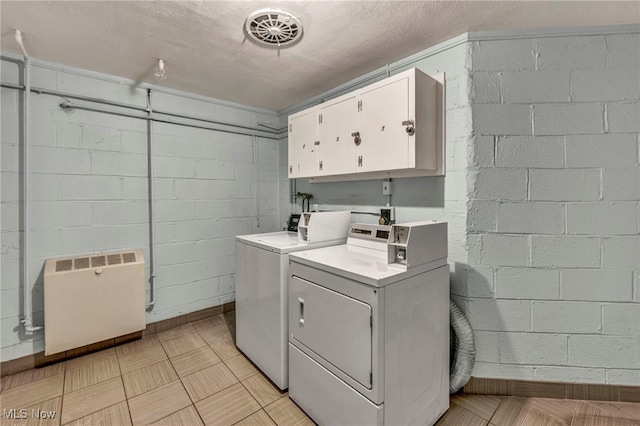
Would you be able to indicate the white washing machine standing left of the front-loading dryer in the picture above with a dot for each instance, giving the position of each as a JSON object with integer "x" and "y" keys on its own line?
{"x": 261, "y": 284}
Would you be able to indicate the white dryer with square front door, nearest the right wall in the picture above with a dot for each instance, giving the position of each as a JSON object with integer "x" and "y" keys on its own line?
{"x": 369, "y": 327}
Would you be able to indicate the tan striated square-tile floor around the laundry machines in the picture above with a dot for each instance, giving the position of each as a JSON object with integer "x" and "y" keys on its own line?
{"x": 194, "y": 375}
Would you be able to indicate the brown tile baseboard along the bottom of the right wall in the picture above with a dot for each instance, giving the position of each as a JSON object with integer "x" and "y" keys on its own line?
{"x": 558, "y": 390}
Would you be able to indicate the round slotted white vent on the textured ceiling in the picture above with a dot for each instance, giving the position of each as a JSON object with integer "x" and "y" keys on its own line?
{"x": 273, "y": 27}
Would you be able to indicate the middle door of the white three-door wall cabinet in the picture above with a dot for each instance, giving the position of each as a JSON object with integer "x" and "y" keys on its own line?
{"x": 336, "y": 152}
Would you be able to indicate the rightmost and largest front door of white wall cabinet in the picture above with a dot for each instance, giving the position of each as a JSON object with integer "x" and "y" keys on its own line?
{"x": 385, "y": 142}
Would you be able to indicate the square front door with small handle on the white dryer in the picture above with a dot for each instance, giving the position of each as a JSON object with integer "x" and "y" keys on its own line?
{"x": 334, "y": 326}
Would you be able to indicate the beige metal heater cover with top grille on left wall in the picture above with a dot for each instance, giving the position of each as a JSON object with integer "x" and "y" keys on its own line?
{"x": 92, "y": 298}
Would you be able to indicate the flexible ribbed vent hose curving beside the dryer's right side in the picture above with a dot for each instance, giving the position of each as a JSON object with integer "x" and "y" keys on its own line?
{"x": 463, "y": 350}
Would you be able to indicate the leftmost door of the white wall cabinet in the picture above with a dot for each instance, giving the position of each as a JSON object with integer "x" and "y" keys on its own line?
{"x": 302, "y": 149}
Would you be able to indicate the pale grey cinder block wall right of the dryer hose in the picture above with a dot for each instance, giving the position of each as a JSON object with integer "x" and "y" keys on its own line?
{"x": 554, "y": 209}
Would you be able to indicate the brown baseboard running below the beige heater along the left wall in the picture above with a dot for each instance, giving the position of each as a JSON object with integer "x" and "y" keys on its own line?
{"x": 40, "y": 360}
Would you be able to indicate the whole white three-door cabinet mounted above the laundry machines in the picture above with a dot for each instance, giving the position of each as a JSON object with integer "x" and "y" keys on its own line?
{"x": 392, "y": 128}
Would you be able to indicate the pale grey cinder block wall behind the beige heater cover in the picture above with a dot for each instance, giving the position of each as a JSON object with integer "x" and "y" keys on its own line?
{"x": 89, "y": 194}
